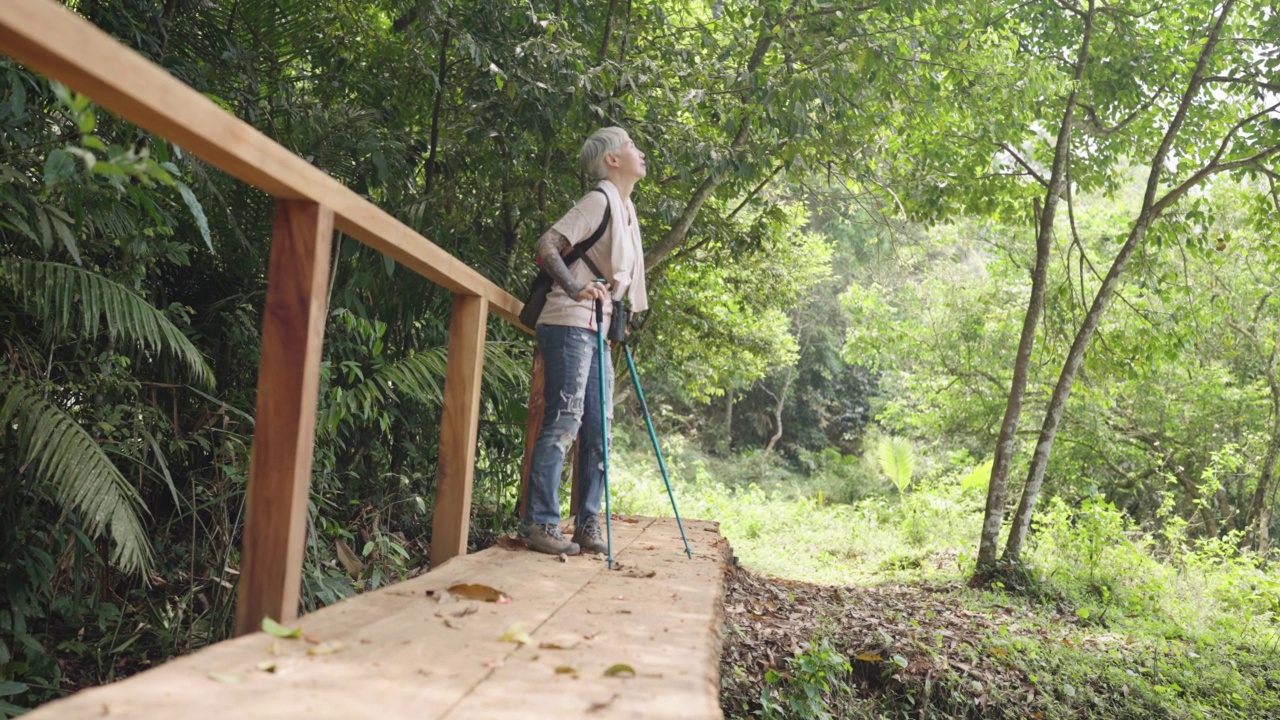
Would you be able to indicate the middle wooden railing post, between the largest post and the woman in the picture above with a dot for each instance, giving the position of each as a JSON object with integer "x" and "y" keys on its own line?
{"x": 459, "y": 429}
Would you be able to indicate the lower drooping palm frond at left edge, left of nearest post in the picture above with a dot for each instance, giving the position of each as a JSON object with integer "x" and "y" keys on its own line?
{"x": 63, "y": 454}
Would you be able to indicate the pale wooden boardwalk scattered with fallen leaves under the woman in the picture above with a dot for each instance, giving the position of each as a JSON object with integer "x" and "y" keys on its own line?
{"x": 403, "y": 653}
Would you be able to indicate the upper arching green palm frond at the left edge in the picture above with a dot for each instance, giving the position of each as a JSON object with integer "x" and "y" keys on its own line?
{"x": 77, "y": 300}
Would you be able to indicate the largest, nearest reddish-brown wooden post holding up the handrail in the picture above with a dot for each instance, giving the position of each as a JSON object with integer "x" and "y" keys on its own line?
{"x": 285, "y": 429}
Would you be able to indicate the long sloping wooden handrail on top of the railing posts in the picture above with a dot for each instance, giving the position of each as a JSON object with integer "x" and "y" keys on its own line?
{"x": 62, "y": 45}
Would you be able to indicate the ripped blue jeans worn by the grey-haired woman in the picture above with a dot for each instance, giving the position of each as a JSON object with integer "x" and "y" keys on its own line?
{"x": 573, "y": 403}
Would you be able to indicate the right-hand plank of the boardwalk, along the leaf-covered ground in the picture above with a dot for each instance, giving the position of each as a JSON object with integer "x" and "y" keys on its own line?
{"x": 666, "y": 627}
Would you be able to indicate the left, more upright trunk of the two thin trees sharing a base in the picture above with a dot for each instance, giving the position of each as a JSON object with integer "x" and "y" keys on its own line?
{"x": 994, "y": 516}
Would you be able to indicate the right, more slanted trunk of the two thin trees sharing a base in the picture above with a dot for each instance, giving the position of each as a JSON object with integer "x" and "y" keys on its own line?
{"x": 1151, "y": 209}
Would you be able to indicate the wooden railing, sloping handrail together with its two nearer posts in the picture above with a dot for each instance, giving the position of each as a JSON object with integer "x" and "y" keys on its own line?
{"x": 310, "y": 206}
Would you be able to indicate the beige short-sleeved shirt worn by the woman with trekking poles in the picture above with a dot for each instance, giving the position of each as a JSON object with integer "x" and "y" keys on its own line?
{"x": 577, "y": 226}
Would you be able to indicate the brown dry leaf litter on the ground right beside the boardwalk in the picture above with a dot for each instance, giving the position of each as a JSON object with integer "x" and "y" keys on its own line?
{"x": 899, "y": 639}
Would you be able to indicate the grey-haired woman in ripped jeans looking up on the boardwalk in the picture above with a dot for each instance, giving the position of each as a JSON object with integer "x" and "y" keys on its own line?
{"x": 568, "y": 340}
